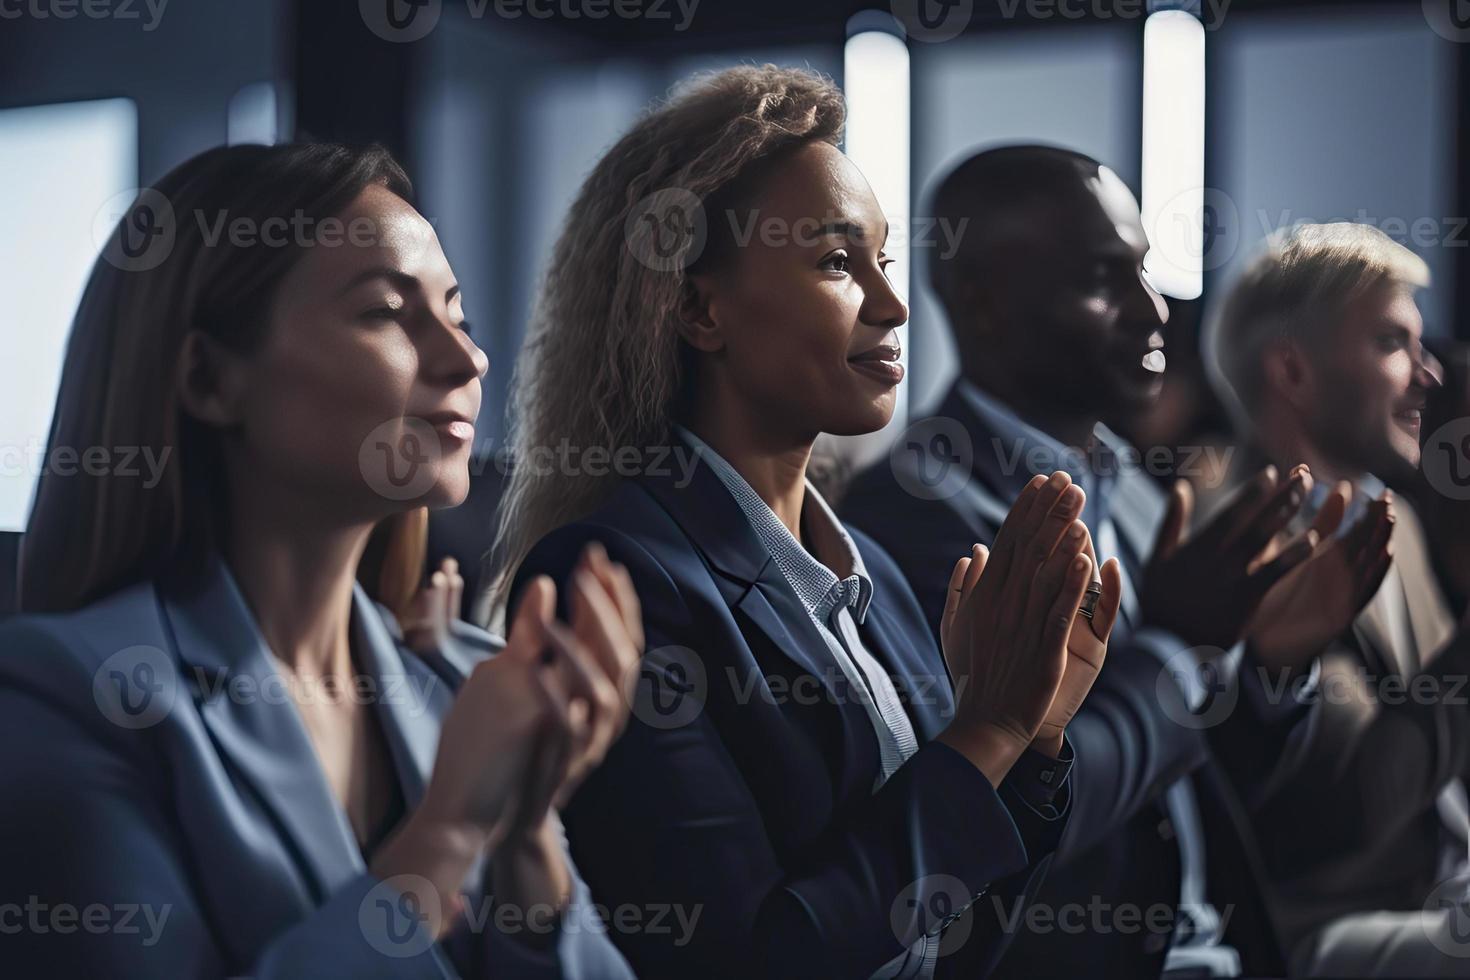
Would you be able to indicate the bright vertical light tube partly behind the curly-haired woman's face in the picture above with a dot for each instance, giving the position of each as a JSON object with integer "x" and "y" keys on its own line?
{"x": 875, "y": 74}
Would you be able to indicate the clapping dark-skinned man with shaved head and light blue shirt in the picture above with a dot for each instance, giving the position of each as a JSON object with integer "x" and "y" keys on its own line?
{"x": 1058, "y": 330}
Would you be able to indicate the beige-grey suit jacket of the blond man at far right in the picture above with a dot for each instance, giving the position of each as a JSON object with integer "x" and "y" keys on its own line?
{"x": 1362, "y": 826}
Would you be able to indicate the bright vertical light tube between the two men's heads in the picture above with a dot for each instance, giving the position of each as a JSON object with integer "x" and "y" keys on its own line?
{"x": 1174, "y": 152}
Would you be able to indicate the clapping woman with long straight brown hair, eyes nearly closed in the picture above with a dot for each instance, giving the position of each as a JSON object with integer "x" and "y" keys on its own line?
{"x": 217, "y": 757}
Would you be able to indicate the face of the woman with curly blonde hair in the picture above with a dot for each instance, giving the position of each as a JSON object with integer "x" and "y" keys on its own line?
{"x": 800, "y": 324}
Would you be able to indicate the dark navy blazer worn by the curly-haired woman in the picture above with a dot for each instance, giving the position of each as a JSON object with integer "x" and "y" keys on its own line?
{"x": 743, "y": 790}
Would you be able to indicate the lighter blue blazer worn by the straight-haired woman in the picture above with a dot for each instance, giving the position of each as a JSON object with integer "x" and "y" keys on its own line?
{"x": 158, "y": 778}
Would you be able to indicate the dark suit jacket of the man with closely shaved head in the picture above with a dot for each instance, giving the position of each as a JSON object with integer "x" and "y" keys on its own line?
{"x": 1121, "y": 846}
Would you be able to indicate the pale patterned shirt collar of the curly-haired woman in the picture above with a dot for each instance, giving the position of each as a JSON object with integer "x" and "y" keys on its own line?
{"x": 812, "y": 577}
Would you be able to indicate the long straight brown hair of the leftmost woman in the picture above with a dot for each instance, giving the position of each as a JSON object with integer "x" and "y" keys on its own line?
{"x": 170, "y": 267}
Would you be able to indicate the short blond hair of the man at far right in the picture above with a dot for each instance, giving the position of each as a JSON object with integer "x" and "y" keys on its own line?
{"x": 1302, "y": 277}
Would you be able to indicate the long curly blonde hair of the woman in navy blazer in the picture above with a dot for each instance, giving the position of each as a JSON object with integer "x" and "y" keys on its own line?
{"x": 602, "y": 364}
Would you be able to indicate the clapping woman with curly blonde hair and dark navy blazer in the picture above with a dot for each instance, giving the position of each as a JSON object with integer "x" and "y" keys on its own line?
{"x": 802, "y": 785}
